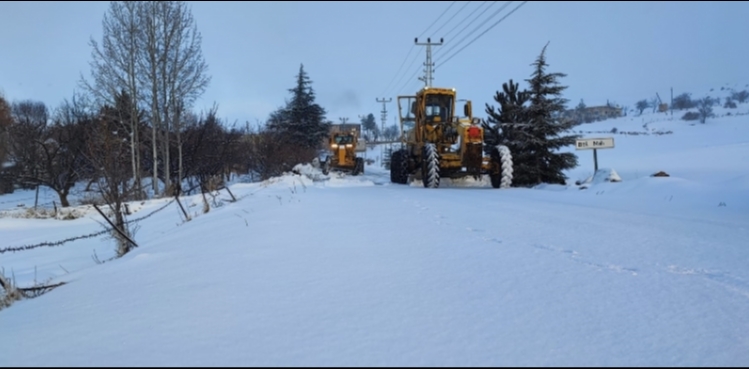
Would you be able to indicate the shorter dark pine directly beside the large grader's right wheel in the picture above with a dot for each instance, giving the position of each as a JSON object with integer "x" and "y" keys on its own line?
{"x": 508, "y": 126}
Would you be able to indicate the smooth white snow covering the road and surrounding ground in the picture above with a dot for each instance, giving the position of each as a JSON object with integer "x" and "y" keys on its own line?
{"x": 358, "y": 271}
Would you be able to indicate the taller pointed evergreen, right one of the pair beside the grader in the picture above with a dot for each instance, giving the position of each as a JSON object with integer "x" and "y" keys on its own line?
{"x": 548, "y": 124}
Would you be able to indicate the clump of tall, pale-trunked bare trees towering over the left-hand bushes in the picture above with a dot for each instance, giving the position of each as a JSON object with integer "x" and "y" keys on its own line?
{"x": 151, "y": 50}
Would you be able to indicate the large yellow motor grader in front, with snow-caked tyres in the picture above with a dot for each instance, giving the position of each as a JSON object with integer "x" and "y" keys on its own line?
{"x": 437, "y": 143}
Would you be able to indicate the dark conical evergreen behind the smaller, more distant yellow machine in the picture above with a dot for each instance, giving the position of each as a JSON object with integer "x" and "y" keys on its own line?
{"x": 301, "y": 121}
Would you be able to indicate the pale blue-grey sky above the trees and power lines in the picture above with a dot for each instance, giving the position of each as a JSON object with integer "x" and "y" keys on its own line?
{"x": 621, "y": 51}
